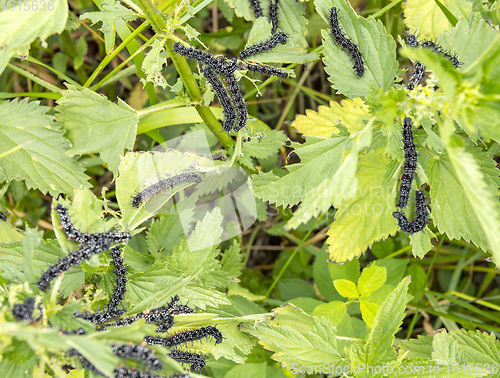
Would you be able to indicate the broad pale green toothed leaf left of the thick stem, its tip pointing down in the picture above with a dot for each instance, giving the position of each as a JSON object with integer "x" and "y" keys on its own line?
{"x": 96, "y": 125}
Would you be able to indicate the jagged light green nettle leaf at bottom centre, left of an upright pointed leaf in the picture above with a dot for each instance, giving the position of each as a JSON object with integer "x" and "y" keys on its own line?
{"x": 309, "y": 345}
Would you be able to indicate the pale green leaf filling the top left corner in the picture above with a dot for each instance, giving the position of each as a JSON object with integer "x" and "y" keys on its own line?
{"x": 20, "y": 28}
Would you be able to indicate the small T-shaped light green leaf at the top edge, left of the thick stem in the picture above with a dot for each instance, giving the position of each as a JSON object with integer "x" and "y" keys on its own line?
{"x": 110, "y": 11}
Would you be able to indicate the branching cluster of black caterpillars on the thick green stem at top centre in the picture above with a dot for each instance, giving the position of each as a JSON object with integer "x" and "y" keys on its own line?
{"x": 234, "y": 107}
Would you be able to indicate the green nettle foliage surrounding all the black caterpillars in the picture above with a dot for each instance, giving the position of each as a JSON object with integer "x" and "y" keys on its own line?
{"x": 324, "y": 276}
